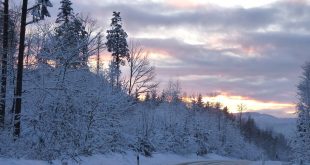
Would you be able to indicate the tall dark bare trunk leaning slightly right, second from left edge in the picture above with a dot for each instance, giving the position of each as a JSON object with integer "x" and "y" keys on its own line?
{"x": 19, "y": 77}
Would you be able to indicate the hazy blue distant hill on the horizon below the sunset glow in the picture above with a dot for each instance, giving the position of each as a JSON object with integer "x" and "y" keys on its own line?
{"x": 285, "y": 126}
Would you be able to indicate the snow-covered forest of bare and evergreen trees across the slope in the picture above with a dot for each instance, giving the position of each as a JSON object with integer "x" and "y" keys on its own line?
{"x": 59, "y": 101}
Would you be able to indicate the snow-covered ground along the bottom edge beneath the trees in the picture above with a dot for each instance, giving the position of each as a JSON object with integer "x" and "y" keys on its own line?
{"x": 130, "y": 159}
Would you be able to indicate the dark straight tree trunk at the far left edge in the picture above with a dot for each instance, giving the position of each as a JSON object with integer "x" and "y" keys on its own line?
{"x": 4, "y": 61}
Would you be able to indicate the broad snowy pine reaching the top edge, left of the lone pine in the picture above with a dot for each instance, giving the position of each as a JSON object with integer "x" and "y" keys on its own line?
{"x": 71, "y": 37}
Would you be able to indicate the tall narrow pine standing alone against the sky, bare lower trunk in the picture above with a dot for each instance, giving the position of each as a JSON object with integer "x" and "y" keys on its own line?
{"x": 117, "y": 43}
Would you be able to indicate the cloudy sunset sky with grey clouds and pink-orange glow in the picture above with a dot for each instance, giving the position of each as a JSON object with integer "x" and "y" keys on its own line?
{"x": 248, "y": 52}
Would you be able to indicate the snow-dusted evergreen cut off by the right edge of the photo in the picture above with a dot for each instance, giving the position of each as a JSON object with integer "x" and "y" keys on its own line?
{"x": 302, "y": 142}
